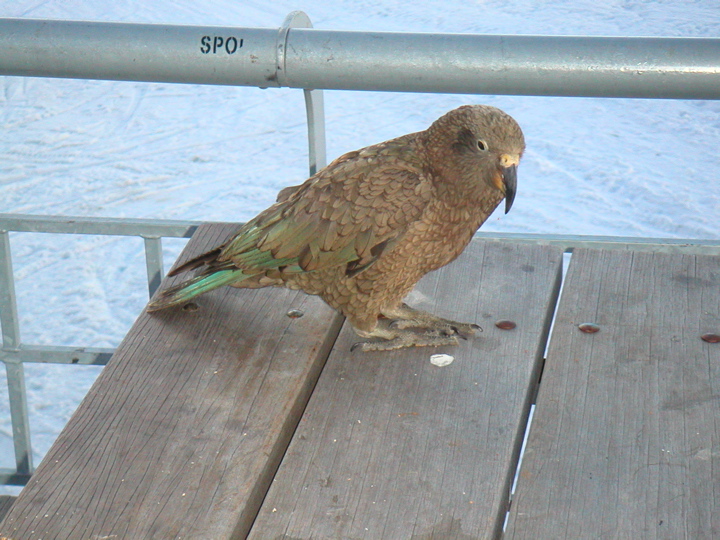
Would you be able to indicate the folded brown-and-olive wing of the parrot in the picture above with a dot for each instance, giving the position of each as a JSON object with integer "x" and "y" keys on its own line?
{"x": 347, "y": 214}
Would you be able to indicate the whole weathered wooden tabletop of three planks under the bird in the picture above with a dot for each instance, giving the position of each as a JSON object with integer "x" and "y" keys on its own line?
{"x": 229, "y": 419}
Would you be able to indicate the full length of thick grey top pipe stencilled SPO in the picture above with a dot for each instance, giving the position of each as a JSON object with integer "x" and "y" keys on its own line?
{"x": 686, "y": 68}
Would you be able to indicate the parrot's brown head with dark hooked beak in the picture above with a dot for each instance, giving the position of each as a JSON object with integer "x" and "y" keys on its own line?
{"x": 478, "y": 143}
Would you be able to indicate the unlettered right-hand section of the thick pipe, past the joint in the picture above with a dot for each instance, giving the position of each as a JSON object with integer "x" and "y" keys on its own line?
{"x": 522, "y": 65}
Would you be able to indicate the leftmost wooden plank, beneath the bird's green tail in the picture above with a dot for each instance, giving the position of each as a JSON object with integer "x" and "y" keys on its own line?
{"x": 181, "y": 433}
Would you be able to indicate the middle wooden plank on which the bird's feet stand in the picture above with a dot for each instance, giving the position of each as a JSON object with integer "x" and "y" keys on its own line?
{"x": 393, "y": 447}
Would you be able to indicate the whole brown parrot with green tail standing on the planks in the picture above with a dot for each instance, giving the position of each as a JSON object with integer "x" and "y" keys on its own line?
{"x": 362, "y": 231}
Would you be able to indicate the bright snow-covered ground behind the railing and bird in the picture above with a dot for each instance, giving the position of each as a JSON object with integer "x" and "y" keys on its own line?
{"x": 93, "y": 148}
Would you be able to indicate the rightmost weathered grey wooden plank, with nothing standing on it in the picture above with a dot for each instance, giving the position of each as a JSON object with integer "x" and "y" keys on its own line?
{"x": 625, "y": 441}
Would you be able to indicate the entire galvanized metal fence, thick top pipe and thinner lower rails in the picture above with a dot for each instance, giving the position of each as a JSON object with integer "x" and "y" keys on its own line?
{"x": 295, "y": 55}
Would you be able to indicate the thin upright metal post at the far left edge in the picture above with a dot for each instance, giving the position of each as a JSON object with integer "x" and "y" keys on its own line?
{"x": 15, "y": 370}
